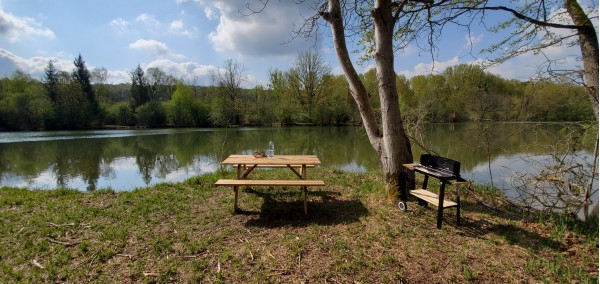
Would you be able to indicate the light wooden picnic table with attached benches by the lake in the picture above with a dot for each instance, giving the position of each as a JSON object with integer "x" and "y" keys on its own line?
{"x": 245, "y": 164}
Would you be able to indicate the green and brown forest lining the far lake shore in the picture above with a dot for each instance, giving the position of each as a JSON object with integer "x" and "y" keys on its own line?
{"x": 306, "y": 94}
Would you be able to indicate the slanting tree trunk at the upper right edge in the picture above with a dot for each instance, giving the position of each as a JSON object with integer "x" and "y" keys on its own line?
{"x": 588, "y": 42}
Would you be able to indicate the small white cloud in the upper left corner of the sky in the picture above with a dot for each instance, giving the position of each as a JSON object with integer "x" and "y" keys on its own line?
{"x": 13, "y": 28}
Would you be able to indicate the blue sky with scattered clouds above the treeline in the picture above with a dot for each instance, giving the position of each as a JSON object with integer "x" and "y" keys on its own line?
{"x": 189, "y": 39}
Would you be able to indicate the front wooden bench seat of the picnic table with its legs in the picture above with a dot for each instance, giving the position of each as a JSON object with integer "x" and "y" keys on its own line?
{"x": 251, "y": 182}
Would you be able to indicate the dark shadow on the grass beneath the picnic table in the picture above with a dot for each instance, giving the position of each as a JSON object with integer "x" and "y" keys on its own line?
{"x": 286, "y": 208}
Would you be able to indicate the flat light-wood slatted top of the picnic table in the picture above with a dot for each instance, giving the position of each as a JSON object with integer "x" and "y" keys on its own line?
{"x": 276, "y": 160}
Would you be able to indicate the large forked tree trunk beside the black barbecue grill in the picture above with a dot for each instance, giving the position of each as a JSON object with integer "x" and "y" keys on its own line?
{"x": 391, "y": 142}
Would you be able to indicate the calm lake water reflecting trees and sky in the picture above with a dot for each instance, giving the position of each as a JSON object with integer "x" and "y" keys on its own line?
{"x": 126, "y": 159}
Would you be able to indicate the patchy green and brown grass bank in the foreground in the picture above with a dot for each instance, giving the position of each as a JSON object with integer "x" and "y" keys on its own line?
{"x": 187, "y": 232}
